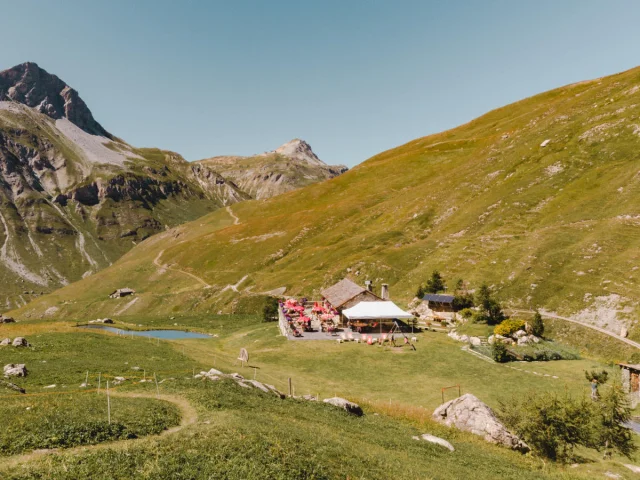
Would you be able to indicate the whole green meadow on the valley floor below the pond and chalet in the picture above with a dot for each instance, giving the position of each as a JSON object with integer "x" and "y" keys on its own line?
{"x": 235, "y": 433}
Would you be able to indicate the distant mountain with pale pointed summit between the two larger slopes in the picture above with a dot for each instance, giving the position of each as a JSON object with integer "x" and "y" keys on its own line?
{"x": 288, "y": 167}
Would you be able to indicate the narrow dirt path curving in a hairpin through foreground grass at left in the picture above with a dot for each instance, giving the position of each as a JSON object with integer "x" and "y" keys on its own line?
{"x": 188, "y": 416}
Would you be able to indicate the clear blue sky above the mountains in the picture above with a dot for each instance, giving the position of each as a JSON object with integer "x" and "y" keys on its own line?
{"x": 353, "y": 78}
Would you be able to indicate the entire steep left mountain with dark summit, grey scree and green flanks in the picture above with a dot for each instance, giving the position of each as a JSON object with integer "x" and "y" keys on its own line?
{"x": 73, "y": 197}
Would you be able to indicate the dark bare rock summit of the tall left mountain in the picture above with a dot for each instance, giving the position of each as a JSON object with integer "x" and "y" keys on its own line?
{"x": 34, "y": 87}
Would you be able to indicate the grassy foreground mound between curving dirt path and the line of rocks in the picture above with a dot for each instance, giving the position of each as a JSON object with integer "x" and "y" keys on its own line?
{"x": 244, "y": 434}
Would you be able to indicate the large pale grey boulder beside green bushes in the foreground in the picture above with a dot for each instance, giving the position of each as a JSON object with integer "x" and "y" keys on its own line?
{"x": 469, "y": 414}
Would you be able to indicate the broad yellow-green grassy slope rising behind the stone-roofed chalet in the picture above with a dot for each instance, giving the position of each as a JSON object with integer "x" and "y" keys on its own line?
{"x": 551, "y": 226}
